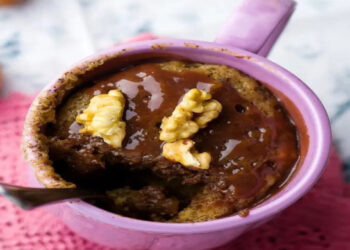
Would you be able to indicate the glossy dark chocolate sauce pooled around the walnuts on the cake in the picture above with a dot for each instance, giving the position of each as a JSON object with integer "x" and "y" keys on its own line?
{"x": 245, "y": 144}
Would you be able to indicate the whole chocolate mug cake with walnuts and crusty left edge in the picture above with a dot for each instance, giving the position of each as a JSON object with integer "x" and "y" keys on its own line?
{"x": 169, "y": 141}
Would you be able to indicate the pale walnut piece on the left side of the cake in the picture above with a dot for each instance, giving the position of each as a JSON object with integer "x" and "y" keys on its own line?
{"x": 103, "y": 118}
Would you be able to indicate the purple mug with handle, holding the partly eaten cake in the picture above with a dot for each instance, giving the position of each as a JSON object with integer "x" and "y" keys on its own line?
{"x": 242, "y": 44}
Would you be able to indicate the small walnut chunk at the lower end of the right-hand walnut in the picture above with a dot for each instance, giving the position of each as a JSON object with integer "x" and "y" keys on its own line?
{"x": 183, "y": 151}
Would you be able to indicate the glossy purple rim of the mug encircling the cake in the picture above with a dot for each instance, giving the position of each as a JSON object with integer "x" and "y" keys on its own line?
{"x": 209, "y": 49}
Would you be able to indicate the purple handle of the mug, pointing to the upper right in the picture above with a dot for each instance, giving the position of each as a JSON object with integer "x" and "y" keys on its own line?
{"x": 256, "y": 25}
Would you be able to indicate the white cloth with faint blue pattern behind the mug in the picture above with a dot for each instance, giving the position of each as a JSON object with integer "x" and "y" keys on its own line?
{"x": 40, "y": 38}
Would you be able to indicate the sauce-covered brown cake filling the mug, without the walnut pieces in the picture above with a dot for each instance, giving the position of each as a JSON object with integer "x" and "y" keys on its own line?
{"x": 253, "y": 144}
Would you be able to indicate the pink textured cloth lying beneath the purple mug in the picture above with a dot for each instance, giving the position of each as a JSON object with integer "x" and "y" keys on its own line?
{"x": 320, "y": 220}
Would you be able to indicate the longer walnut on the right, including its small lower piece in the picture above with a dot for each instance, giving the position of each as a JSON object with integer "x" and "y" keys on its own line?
{"x": 176, "y": 129}
